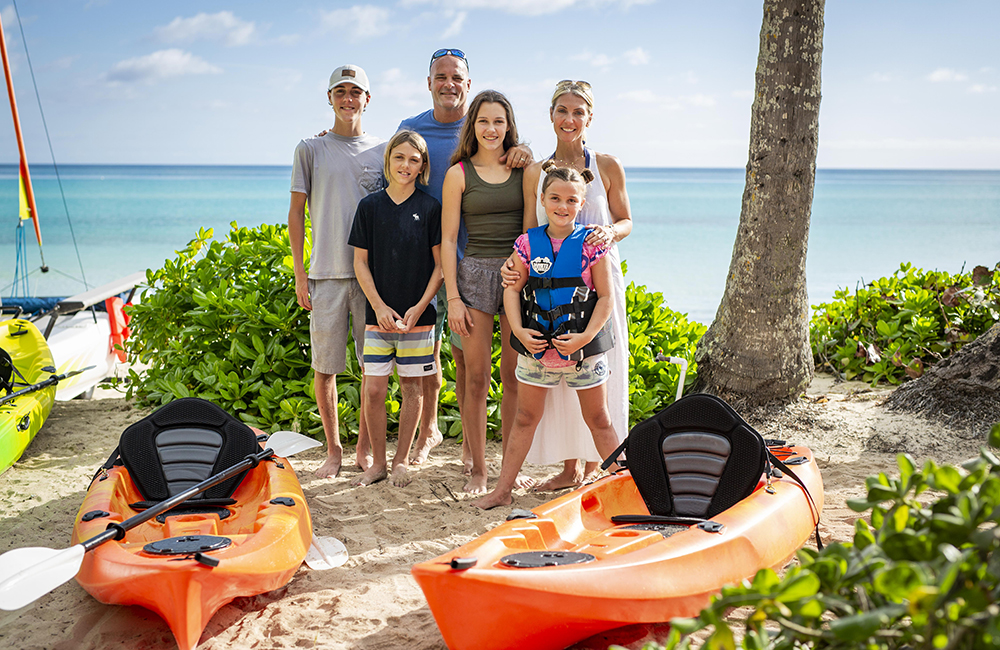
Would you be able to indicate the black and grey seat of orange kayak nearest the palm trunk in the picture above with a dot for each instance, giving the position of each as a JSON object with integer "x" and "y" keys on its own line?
{"x": 695, "y": 458}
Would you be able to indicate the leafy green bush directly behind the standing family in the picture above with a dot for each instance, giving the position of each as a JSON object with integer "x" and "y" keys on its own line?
{"x": 220, "y": 321}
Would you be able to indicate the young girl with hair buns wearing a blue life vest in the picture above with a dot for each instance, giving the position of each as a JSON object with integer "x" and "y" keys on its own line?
{"x": 558, "y": 312}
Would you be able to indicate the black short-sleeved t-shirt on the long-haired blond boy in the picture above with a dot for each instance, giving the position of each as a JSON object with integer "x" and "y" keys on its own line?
{"x": 399, "y": 239}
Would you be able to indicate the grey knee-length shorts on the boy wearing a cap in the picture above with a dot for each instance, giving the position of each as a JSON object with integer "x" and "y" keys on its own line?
{"x": 335, "y": 302}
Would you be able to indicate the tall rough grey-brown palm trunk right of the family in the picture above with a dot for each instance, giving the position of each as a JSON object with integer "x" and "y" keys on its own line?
{"x": 757, "y": 348}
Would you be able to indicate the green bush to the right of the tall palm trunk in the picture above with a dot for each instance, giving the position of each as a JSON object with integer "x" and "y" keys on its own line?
{"x": 894, "y": 327}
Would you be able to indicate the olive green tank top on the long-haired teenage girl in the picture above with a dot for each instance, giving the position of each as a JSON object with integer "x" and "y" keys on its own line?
{"x": 493, "y": 213}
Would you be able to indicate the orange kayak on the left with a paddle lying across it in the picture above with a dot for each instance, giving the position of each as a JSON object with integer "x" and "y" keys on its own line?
{"x": 186, "y": 565}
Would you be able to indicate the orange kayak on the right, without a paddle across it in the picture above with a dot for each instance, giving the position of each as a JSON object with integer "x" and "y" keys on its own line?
{"x": 565, "y": 571}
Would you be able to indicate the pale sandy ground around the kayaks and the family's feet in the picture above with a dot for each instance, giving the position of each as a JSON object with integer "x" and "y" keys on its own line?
{"x": 372, "y": 602}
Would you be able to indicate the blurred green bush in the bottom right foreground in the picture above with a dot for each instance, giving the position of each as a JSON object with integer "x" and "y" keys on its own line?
{"x": 925, "y": 573}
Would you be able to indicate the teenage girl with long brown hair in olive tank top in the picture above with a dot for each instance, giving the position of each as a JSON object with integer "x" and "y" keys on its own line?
{"x": 481, "y": 190}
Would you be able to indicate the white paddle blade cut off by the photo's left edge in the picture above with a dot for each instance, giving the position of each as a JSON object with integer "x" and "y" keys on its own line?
{"x": 27, "y": 574}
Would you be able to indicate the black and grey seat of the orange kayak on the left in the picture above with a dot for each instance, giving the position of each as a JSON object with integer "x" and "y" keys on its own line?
{"x": 181, "y": 444}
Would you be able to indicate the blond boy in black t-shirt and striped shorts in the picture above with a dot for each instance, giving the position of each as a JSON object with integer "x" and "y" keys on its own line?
{"x": 397, "y": 242}
